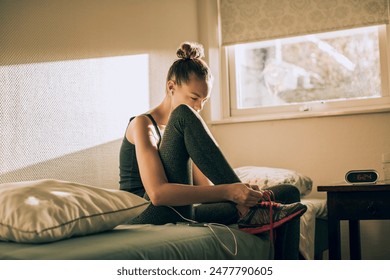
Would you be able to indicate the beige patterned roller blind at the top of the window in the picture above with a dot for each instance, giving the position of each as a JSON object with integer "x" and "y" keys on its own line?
{"x": 257, "y": 20}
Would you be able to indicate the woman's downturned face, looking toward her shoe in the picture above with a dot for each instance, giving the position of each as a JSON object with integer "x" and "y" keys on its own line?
{"x": 195, "y": 93}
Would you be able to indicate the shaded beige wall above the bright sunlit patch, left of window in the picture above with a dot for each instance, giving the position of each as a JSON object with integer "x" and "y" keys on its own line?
{"x": 56, "y": 30}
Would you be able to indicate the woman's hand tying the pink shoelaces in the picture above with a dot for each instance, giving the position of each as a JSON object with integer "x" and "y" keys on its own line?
{"x": 243, "y": 194}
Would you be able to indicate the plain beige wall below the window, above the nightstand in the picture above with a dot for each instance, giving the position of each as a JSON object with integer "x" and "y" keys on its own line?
{"x": 324, "y": 148}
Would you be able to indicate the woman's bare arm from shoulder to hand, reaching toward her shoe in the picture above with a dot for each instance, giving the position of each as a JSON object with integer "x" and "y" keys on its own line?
{"x": 161, "y": 192}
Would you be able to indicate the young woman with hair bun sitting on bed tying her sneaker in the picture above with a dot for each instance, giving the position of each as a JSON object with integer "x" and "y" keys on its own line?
{"x": 169, "y": 156}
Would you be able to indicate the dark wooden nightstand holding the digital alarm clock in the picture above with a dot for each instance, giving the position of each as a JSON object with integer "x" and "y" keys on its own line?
{"x": 354, "y": 203}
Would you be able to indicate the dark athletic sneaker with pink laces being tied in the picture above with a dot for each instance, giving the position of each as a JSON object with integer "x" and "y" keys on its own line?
{"x": 267, "y": 215}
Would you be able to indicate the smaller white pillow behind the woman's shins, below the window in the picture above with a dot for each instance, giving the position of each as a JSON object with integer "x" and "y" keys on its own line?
{"x": 269, "y": 176}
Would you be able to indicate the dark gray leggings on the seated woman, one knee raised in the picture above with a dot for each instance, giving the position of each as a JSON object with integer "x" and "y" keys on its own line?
{"x": 187, "y": 138}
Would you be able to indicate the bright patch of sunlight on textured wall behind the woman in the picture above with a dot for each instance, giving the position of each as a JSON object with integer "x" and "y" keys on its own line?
{"x": 51, "y": 109}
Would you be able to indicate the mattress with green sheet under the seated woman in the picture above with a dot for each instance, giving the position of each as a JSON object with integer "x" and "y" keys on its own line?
{"x": 147, "y": 242}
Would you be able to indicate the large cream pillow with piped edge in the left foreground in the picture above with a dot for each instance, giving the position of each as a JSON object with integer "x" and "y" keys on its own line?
{"x": 49, "y": 210}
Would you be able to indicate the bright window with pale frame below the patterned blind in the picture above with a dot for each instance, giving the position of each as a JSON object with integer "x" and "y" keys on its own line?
{"x": 335, "y": 72}
